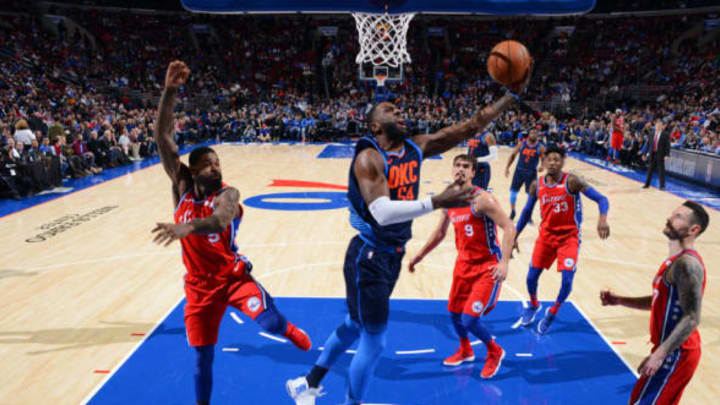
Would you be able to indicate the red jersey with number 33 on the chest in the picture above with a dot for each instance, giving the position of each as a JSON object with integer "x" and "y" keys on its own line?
{"x": 560, "y": 209}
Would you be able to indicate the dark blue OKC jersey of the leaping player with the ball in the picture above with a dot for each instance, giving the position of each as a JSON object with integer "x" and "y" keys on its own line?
{"x": 402, "y": 171}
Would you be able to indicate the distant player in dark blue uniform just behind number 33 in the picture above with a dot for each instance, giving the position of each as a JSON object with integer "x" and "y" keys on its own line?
{"x": 531, "y": 152}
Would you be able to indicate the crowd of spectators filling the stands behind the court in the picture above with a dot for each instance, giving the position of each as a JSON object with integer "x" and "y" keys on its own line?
{"x": 71, "y": 106}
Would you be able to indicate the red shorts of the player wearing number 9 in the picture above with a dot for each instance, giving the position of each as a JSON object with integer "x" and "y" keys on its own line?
{"x": 473, "y": 290}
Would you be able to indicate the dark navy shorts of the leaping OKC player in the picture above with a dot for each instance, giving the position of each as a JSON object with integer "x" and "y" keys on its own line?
{"x": 370, "y": 277}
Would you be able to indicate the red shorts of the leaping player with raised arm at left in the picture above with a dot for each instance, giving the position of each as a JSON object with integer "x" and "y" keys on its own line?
{"x": 207, "y": 300}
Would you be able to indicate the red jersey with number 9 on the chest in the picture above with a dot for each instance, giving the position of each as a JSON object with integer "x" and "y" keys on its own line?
{"x": 475, "y": 235}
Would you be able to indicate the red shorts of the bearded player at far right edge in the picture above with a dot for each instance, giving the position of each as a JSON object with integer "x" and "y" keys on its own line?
{"x": 666, "y": 386}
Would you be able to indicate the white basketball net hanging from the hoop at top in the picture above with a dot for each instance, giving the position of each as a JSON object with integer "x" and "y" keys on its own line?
{"x": 383, "y": 38}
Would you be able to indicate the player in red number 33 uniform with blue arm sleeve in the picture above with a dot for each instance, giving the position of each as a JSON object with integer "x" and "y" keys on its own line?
{"x": 559, "y": 238}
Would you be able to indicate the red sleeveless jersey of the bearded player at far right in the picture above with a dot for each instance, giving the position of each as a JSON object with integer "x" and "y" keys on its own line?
{"x": 665, "y": 311}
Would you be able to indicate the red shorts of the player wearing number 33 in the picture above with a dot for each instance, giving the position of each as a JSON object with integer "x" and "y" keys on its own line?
{"x": 549, "y": 247}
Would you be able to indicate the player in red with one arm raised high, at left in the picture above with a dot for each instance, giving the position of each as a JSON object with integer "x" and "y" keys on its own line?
{"x": 206, "y": 219}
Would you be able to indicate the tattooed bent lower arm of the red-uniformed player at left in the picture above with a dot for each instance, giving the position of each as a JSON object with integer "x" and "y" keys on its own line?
{"x": 227, "y": 208}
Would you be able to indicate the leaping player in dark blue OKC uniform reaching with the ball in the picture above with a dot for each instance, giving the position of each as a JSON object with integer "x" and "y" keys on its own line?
{"x": 383, "y": 189}
